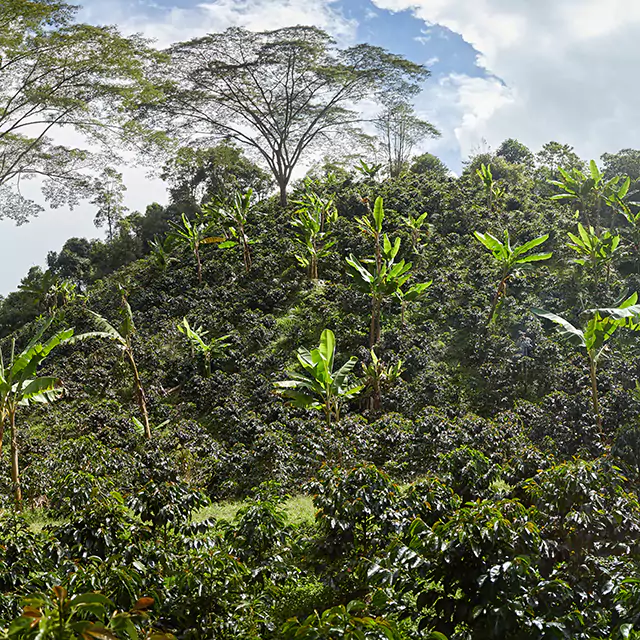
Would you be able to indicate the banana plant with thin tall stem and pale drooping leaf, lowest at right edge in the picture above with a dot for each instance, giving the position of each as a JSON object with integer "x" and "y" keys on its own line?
{"x": 600, "y": 326}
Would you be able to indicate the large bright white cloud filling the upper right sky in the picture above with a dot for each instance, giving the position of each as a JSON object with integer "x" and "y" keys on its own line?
{"x": 568, "y": 67}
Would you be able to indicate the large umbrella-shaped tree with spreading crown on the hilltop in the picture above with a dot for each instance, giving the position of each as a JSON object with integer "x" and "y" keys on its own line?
{"x": 279, "y": 93}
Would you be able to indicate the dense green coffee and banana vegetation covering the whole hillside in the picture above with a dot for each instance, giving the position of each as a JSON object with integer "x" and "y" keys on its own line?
{"x": 384, "y": 403}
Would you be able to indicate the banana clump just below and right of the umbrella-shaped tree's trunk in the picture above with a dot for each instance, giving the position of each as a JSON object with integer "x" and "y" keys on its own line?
{"x": 313, "y": 217}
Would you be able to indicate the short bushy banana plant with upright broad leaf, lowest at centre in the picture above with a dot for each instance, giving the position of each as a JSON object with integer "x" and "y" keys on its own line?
{"x": 319, "y": 386}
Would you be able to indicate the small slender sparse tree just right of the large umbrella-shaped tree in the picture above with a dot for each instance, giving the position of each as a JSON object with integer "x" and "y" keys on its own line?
{"x": 400, "y": 130}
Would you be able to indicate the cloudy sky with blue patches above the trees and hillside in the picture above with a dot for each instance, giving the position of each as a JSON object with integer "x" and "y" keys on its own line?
{"x": 534, "y": 70}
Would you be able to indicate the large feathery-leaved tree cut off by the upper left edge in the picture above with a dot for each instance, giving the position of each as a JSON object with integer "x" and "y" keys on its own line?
{"x": 56, "y": 73}
